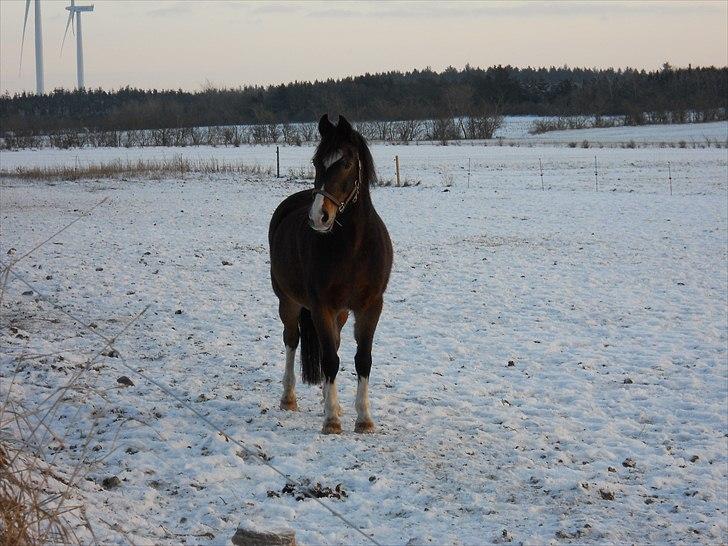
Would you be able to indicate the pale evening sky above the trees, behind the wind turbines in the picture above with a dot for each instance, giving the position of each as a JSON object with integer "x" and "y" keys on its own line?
{"x": 183, "y": 44}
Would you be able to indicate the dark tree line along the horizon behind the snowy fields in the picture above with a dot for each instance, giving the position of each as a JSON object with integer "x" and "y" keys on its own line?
{"x": 672, "y": 94}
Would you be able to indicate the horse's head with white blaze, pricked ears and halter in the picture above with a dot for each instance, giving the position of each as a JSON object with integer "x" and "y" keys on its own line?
{"x": 343, "y": 166}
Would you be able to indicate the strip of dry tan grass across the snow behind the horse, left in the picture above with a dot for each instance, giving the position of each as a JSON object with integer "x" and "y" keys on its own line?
{"x": 176, "y": 166}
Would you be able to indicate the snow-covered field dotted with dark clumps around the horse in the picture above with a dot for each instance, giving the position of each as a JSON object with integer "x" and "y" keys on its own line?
{"x": 550, "y": 367}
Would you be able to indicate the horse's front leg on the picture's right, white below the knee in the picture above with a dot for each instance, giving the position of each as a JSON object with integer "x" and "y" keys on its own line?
{"x": 364, "y": 328}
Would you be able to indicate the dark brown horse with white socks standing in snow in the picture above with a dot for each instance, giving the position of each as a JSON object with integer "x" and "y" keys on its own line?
{"x": 330, "y": 253}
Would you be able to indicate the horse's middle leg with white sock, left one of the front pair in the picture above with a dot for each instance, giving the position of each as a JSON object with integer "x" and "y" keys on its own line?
{"x": 325, "y": 321}
